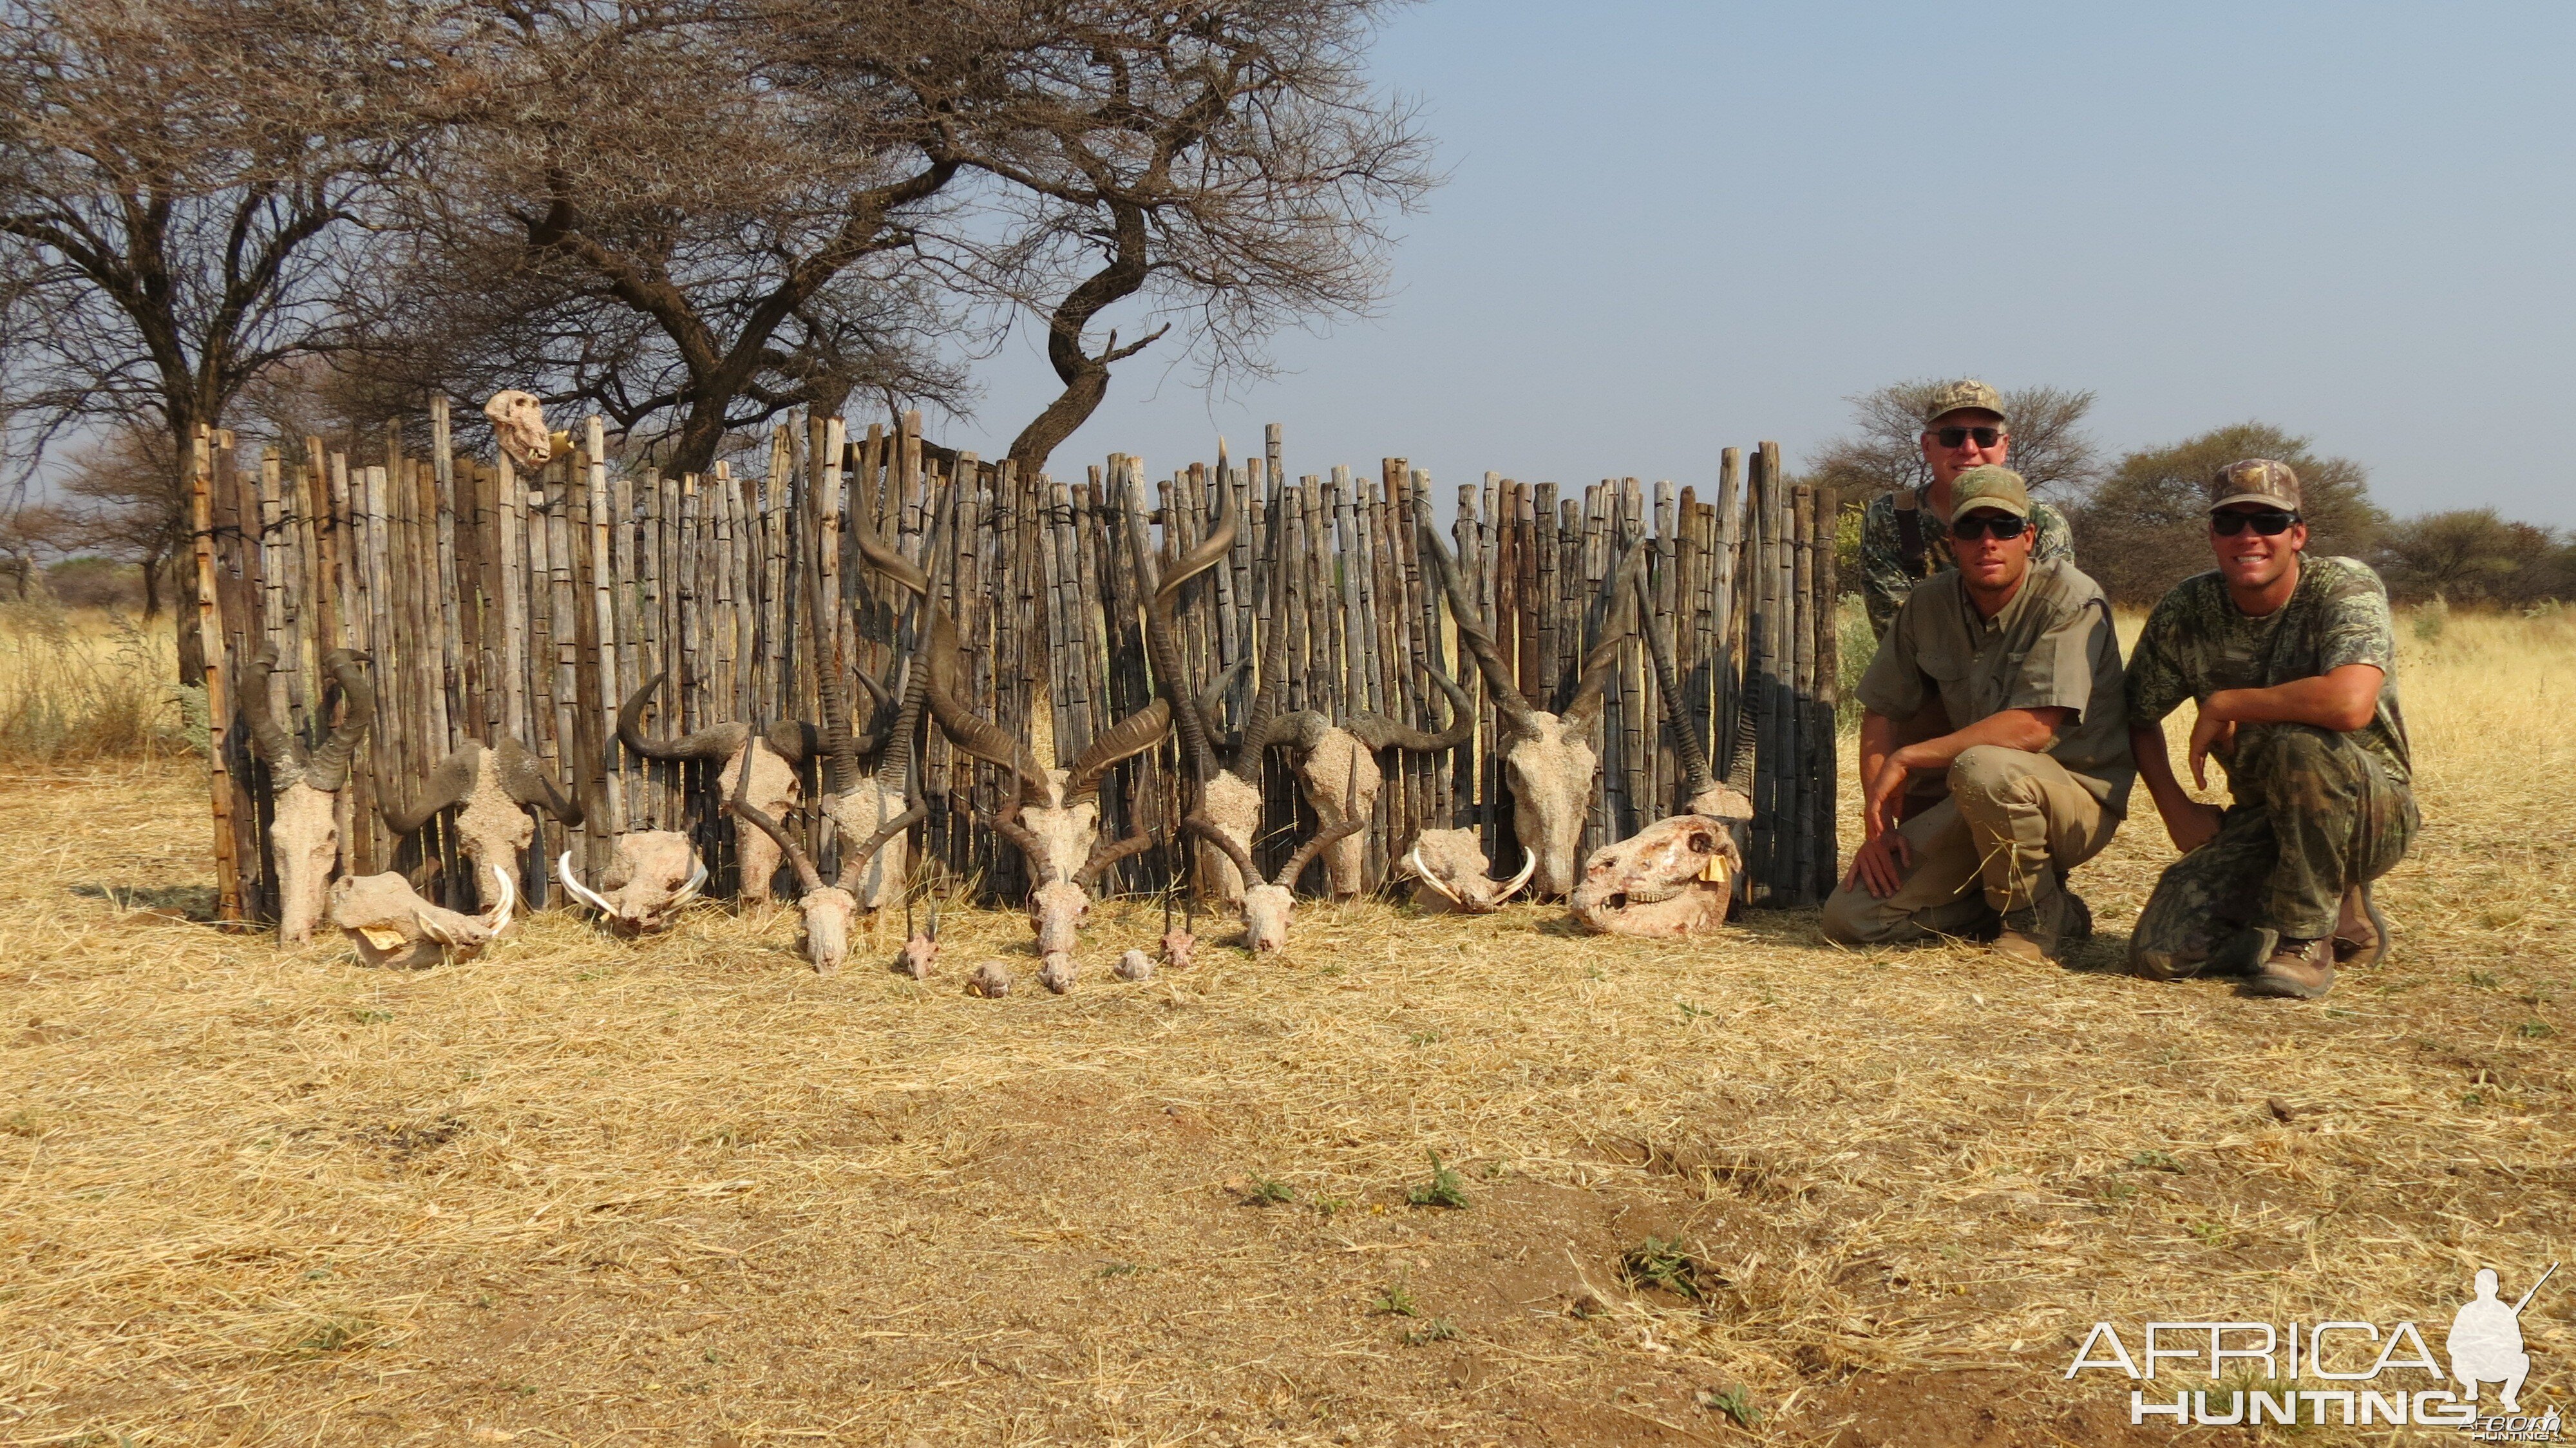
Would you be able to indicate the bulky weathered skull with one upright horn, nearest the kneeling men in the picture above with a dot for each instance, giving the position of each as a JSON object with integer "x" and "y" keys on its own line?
{"x": 1673, "y": 877}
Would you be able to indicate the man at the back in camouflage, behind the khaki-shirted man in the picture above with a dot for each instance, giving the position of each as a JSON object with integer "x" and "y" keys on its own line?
{"x": 1902, "y": 535}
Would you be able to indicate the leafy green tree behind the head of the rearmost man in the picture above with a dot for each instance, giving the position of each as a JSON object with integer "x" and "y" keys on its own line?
{"x": 2052, "y": 450}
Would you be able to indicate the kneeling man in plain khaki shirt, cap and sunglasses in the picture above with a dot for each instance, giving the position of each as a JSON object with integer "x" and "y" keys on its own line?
{"x": 2031, "y": 785}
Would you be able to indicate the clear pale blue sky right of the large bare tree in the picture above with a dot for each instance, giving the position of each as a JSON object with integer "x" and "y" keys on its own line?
{"x": 1676, "y": 228}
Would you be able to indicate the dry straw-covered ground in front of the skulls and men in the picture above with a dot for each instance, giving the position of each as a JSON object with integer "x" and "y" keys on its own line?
{"x": 1740, "y": 1192}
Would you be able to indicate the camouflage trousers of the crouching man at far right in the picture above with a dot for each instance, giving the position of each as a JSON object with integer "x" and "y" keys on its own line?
{"x": 2315, "y": 815}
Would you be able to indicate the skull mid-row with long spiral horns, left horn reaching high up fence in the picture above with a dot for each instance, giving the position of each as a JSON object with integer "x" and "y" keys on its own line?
{"x": 1055, "y": 813}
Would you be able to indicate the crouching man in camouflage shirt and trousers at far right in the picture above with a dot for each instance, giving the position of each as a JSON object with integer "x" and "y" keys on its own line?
{"x": 2294, "y": 666}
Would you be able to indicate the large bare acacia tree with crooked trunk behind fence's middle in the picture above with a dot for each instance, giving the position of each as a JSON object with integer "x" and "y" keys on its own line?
{"x": 764, "y": 205}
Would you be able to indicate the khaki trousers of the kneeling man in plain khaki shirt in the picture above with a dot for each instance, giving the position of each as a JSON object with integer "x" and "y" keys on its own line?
{"x": 2005, "y": 836}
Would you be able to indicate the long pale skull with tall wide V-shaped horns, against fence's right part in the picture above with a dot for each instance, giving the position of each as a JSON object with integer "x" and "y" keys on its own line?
{"x": 1547, "y": 756}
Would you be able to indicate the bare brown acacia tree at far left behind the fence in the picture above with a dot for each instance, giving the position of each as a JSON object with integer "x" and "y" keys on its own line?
{"x": 182, "y": 197}
